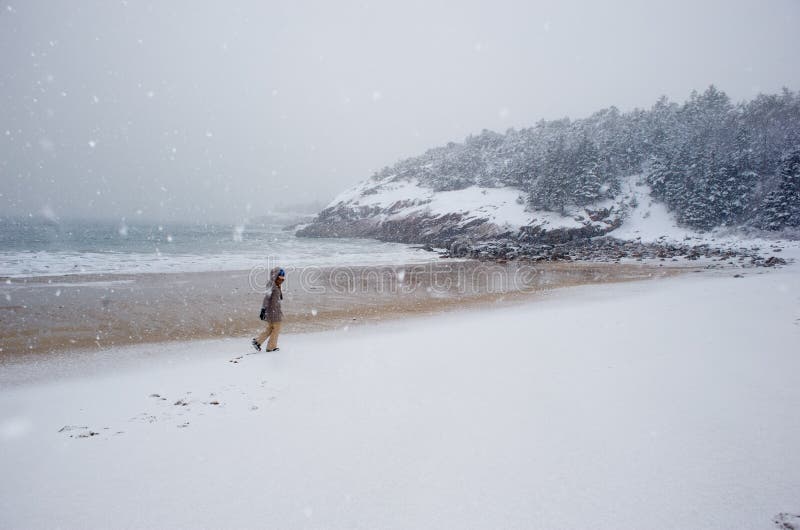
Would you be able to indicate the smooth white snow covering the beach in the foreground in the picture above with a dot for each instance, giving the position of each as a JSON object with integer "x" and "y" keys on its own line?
{"x": 659, "y": 404}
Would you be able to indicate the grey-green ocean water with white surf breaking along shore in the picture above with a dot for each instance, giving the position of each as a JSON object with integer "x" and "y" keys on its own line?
{"x": 37, "y": 247}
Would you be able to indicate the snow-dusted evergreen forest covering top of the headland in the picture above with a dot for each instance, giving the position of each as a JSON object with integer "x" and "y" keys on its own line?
{"x": 714, "y": 163}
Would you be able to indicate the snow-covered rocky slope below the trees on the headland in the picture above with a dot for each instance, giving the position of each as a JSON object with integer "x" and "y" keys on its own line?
{"x": 399, "y": 209}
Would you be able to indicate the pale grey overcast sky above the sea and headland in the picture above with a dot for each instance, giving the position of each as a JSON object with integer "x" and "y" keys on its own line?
{"x": 221, "y": 110}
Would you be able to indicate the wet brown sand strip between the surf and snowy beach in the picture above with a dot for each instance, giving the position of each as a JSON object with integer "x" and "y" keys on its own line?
{"x": 48, "y": 314}
